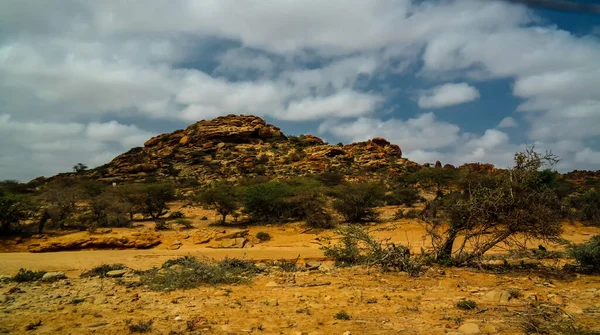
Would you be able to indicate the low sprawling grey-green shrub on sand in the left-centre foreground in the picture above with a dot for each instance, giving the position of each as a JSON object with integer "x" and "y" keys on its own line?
{"x": 192, "y": 273}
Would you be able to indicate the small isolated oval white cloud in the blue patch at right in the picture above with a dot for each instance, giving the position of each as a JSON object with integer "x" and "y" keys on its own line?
{"x": 448, "y": 95}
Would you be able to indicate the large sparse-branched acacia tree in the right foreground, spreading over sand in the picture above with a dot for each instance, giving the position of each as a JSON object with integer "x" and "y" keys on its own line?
{"x": 482, "y": 217}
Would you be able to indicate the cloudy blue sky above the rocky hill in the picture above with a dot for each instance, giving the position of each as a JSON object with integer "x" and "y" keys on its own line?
{"x": 456, "y": 81}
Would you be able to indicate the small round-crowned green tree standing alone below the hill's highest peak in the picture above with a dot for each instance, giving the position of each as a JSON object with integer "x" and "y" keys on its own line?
{"x": 222, "y": 197}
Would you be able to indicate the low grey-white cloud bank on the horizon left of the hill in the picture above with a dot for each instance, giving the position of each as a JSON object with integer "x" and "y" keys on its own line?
{"x": 30, "y": 149}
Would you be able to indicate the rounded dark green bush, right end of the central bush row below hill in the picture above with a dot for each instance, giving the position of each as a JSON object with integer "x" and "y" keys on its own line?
{"x": 356, "y": 201}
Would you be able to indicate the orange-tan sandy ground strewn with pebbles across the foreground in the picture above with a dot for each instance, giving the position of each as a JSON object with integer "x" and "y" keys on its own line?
{"x": 281, "y": 303}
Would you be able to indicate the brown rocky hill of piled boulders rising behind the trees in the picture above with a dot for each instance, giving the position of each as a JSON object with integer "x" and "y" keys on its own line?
{"x": 237, "y": 145}
